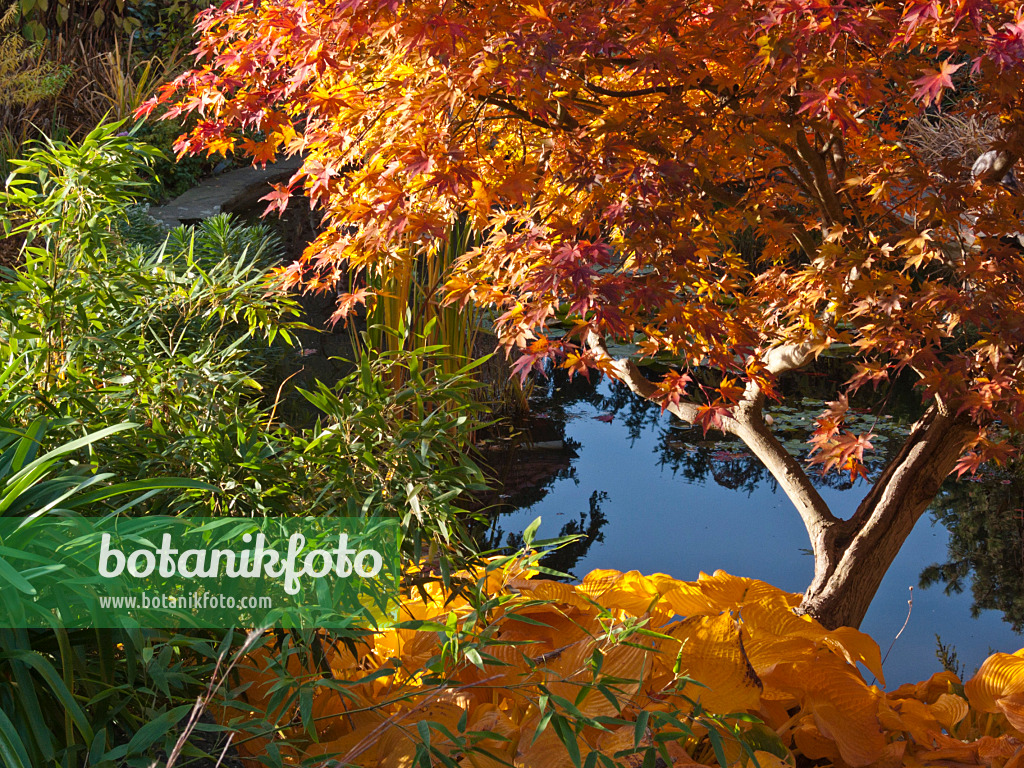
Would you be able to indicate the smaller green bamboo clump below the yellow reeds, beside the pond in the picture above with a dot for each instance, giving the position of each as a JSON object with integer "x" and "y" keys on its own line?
{"x": 377, "y": 450}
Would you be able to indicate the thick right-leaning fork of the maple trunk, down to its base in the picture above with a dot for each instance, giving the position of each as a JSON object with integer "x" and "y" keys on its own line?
{"x": 851, "y": 558}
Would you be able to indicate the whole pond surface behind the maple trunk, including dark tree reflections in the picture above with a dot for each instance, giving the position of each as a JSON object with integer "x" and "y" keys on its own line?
{"x": 657, "y": 497}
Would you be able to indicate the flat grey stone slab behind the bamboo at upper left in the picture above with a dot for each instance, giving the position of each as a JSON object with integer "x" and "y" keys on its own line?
{"x": 228, "y": 193}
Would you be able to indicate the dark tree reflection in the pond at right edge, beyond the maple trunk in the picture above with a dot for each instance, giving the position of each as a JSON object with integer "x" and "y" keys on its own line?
{"x": 987, "y": 544}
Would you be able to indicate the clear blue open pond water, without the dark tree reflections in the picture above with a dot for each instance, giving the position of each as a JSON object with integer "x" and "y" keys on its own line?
{"x": 659, "y": 520}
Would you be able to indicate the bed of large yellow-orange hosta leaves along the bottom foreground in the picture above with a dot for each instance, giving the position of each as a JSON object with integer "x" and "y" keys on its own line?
{"x": 614, "y": 665}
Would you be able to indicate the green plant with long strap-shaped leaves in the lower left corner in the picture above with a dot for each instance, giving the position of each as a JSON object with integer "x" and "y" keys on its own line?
{"x": 71, "y": 698}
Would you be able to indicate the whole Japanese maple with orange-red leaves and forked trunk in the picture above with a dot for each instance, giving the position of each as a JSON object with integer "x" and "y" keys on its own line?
{"x": 612, "y": 151}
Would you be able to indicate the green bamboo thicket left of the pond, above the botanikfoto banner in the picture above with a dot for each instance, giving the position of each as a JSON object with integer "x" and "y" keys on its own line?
{"x": 114, "y": 322}
